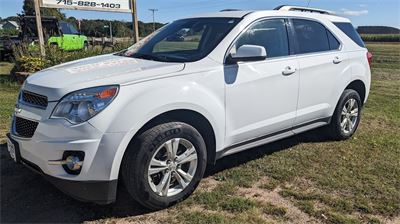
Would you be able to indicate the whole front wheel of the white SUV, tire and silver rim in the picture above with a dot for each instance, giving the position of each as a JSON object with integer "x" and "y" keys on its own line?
{"x": 164, "y": 164}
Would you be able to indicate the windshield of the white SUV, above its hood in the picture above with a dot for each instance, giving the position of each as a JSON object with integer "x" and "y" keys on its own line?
{"x": 183, "y": 40}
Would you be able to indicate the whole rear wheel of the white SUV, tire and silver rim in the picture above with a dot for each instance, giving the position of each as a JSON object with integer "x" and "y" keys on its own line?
{"x": 346, "y": 117}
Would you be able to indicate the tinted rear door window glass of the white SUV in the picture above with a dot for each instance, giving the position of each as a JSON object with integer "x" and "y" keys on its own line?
{"x": 310, "y": 36}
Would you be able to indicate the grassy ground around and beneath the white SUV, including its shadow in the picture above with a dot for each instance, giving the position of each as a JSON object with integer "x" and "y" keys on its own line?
{"x": 303, "y": 179}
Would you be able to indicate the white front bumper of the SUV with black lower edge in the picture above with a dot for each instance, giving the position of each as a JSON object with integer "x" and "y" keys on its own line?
{"x": 97, "y": 181}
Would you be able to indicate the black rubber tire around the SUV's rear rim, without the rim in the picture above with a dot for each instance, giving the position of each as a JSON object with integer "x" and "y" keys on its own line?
{"x": 334, "y": 129}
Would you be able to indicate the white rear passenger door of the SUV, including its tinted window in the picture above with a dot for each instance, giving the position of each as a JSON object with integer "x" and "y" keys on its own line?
{"x": 322, "y": 64}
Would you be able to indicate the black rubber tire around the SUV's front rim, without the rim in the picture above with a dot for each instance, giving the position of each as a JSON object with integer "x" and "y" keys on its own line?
{"x": 136, "y": 161}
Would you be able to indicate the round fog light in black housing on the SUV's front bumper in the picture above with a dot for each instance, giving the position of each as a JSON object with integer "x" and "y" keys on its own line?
{"x": 72, "y": 162}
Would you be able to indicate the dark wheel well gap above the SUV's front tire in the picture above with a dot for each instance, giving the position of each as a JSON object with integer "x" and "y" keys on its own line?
{"x": 195, "y": 119}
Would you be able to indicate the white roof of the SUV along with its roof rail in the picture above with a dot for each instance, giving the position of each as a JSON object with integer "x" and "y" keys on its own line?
{"x": 271, "y": 13}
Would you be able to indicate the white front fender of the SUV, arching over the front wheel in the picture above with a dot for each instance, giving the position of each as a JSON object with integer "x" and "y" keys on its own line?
{"x": 137, "y": 104}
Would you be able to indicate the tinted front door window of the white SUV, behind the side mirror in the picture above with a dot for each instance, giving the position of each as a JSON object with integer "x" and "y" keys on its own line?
{"x": 271, "y": 34}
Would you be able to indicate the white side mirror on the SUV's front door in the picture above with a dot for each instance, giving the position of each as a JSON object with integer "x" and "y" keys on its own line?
{"x": 248, "y": 53}
